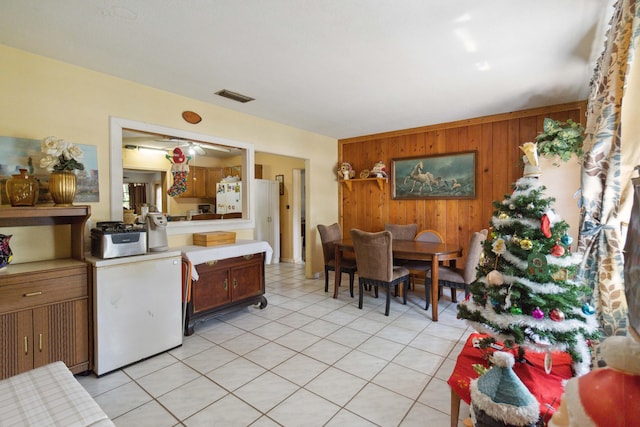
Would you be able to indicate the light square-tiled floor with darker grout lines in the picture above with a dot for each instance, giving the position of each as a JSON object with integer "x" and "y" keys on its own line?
{"x": 304, "y": 360}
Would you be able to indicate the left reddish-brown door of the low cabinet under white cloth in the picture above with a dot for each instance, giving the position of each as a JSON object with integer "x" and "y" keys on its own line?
{"x": 212, "y": 289}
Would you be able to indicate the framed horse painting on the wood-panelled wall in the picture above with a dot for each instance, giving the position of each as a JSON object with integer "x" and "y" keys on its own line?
{"x": 442, "y": 176}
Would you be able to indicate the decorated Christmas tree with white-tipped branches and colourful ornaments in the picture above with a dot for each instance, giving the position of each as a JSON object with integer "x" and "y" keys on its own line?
{"x": 526, "y": 294}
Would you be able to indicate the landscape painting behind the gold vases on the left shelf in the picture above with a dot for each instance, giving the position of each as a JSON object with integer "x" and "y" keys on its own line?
{"x": 23, "y": 153}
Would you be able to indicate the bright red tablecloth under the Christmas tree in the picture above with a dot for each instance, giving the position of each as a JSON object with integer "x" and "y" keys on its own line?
{"x": 546, "y": 388}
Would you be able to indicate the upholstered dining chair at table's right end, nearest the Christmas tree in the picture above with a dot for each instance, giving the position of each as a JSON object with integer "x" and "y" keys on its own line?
{"x": 458, "y": 278}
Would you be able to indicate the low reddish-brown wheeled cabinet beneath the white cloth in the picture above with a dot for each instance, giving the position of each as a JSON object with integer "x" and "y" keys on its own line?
{"x": 225, "y": 285}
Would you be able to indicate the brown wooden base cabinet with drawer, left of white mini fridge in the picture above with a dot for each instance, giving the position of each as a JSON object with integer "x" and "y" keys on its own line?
{"x": 44, "y": 317}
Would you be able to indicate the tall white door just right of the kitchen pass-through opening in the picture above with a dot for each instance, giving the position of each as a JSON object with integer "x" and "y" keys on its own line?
{"x": 268, "y": 215}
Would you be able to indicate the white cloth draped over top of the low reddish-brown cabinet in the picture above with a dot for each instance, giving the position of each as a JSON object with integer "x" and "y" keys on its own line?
{"x": 201, "y": 254}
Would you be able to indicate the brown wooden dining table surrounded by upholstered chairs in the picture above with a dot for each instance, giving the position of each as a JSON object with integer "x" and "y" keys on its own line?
{"x": 411, "y": 250}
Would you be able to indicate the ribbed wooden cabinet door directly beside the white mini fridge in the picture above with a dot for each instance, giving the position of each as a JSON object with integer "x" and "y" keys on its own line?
{"x": 60, "y": 332}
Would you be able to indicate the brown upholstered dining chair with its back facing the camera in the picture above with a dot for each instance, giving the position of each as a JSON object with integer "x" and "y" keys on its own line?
{"x": 374, "y": 258}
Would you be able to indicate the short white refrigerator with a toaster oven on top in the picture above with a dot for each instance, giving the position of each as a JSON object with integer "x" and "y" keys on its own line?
{"x": 137, "y": 308}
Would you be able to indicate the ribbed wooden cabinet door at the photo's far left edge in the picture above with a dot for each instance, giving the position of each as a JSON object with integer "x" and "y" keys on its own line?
{"x": 16, "y": 343}
